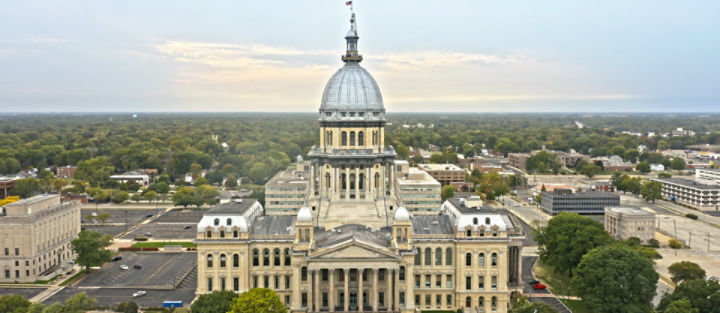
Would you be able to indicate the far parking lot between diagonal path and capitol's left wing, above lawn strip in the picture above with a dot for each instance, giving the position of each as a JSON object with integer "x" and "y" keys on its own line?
{"x": 175, "y": 224}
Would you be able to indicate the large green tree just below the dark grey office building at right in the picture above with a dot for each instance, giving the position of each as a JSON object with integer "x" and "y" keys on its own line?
{"x": 567, "y": 237}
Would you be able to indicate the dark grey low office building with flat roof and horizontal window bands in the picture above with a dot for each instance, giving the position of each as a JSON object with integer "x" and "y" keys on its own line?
{"x": 584, "y": 202}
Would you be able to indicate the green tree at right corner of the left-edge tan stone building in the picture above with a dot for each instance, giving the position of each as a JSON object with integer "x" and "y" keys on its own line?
{"x": 90, "y": 248}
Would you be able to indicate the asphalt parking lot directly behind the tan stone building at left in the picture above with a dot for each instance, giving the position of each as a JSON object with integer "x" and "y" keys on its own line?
{"x": 115, "y": 225}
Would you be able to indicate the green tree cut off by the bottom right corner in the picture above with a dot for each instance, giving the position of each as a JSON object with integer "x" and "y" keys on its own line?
{"x": 703, "y": 295}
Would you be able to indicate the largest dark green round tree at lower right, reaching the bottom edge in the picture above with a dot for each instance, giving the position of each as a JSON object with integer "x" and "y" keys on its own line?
{"x": 616, "y": 278}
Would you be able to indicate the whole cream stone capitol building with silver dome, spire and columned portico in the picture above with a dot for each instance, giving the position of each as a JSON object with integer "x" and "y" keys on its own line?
{"x": 352, "y": 229}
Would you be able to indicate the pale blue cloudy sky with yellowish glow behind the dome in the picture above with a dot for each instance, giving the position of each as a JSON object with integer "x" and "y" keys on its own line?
{"x": 427, "y": 56}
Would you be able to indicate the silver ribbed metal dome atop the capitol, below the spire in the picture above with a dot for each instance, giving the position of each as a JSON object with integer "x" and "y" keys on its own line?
{"x": 352, "y": 89}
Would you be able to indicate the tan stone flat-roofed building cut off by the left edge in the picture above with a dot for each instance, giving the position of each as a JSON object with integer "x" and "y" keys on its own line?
{"x": 36, "y": 234}
